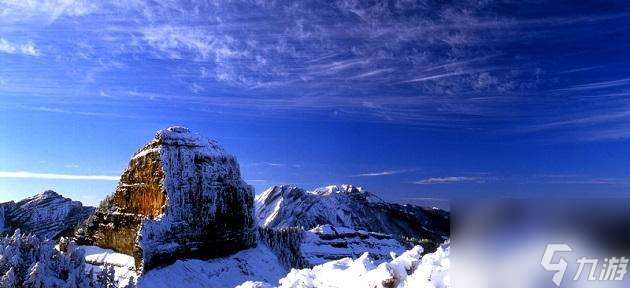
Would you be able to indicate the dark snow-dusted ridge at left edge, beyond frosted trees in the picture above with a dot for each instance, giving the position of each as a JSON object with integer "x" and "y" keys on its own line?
{"x": 48, "y": 215}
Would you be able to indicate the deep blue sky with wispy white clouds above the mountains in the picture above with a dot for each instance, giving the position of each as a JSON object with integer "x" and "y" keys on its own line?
{"x": 414, "y": 100}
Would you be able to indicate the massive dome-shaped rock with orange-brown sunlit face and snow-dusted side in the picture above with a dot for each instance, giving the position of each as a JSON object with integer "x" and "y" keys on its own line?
{"x": 181, "y": 196}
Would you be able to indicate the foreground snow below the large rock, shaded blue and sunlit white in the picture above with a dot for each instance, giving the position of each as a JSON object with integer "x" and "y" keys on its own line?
{"x": 259, "y": 268}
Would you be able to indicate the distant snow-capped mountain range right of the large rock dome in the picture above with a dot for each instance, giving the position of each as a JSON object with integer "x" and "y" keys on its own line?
{"x": 348, "y": 206}
